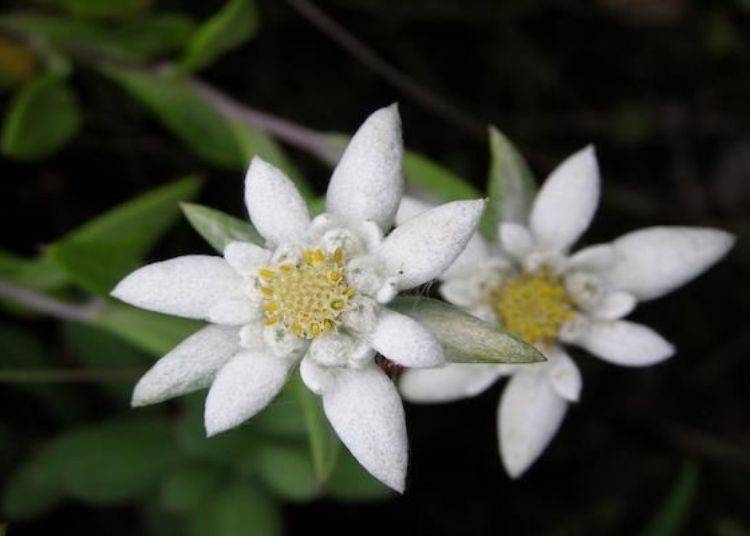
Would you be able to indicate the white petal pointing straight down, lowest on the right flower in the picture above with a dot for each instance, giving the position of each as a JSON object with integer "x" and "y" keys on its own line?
{"x": 529, "y": 416}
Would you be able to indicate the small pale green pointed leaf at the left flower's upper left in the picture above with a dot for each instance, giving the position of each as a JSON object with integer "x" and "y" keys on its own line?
{"x": 219, "y": 228}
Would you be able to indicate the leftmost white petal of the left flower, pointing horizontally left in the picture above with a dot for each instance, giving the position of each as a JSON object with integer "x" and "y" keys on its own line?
{"x": 186, "y": 286}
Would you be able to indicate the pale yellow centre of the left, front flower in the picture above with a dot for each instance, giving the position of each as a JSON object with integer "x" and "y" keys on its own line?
{"x": 309, "y": 297}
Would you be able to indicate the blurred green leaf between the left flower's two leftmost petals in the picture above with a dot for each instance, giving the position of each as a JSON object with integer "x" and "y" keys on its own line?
{"x": 151, "y": 332}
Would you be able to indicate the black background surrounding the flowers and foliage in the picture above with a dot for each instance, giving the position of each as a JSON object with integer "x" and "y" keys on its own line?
{"x": 661, "y": 89}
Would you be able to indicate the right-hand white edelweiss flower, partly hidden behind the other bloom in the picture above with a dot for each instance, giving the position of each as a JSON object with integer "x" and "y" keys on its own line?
{"x": 531, "y": 284}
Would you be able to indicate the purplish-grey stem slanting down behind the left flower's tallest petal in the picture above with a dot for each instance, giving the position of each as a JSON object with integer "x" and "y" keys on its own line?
{"x": 296, "y": 135}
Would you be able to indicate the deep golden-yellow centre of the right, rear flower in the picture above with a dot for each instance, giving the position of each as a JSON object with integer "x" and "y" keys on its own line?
{"x": 533, "y": 306}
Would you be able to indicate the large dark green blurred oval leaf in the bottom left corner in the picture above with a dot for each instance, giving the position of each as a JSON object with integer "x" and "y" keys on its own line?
{"x": 107, "y": 463}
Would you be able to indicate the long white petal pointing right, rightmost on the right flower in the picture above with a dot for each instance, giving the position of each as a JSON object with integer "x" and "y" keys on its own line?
{"x": 654, "y": 261}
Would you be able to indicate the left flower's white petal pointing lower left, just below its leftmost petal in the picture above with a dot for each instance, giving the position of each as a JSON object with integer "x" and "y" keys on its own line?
{"x": 190, "y": 366}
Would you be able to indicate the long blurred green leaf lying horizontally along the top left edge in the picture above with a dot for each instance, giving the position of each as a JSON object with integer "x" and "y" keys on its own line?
{"x": 136, "y": 41}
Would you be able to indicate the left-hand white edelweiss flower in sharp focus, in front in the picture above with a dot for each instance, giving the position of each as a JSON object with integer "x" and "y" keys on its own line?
{"x": 315, "y": 294}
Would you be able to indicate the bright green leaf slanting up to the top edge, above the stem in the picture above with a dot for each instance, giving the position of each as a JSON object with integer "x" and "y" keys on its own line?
{"x": 232, "y": 26}
